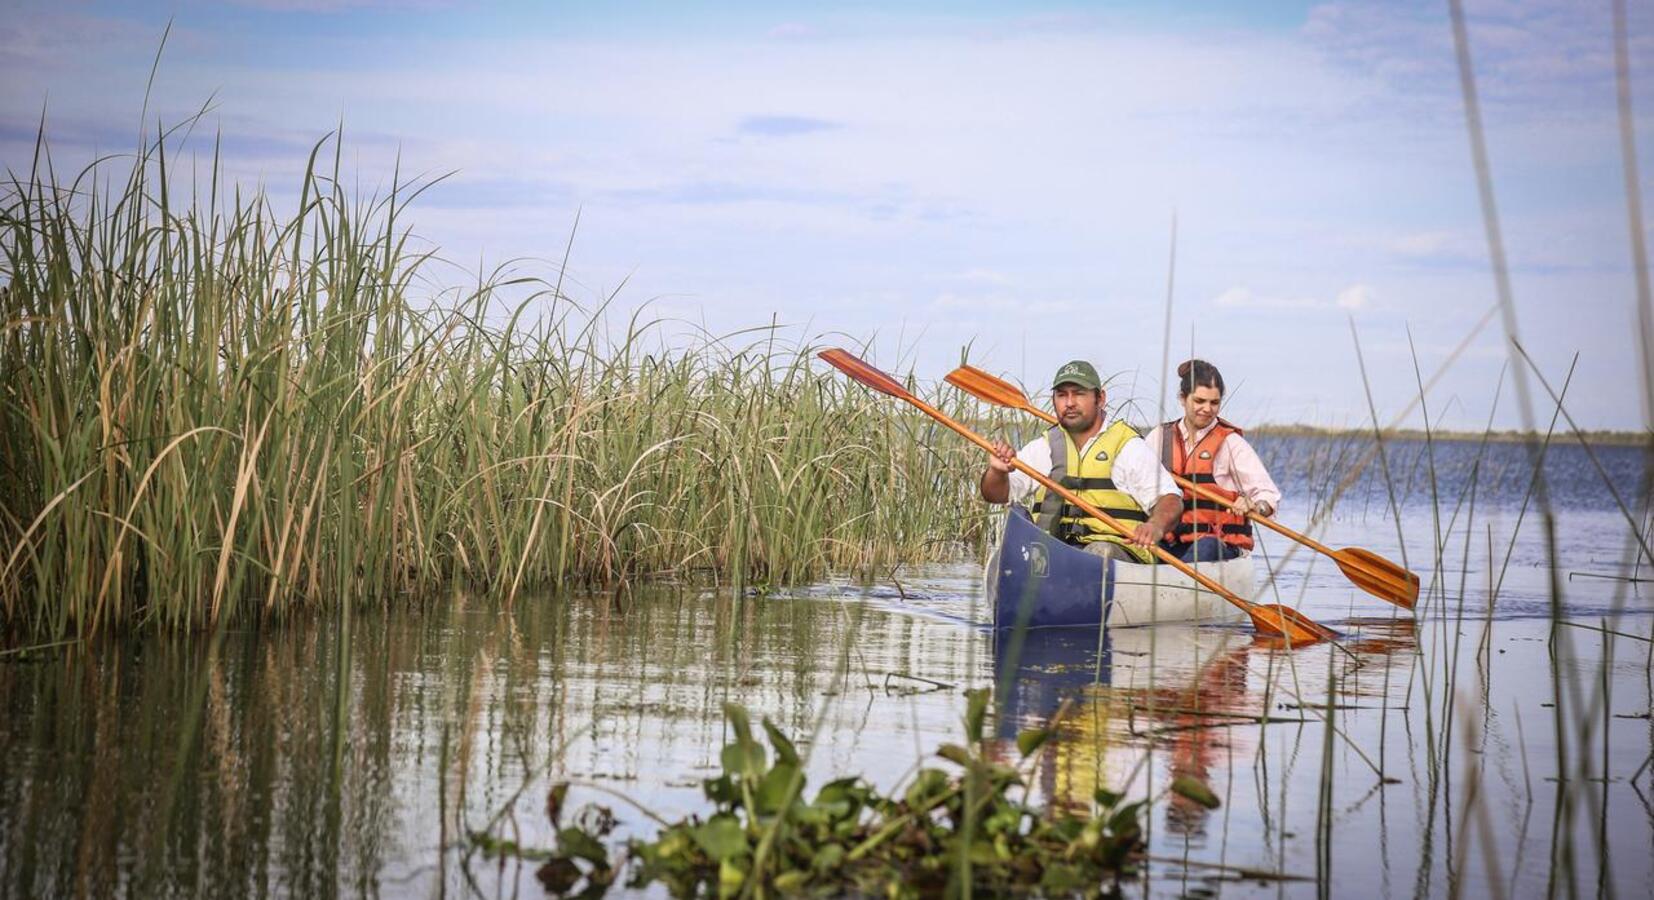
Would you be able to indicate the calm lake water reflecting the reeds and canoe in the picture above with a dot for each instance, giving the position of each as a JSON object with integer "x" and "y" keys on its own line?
{"x": 1481, "y": 749}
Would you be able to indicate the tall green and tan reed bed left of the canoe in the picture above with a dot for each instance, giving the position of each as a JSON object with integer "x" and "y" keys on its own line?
{"x": 213, "y": 411}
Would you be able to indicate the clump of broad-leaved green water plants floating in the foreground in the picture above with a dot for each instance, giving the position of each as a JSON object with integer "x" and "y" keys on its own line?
{"x": 968, "y": 826}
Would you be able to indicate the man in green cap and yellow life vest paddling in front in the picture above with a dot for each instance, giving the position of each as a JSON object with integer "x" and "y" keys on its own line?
{"x": 1111, "y": 469}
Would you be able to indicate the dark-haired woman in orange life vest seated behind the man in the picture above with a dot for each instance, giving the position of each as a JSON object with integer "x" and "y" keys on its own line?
{"x": 1213, "y": 454}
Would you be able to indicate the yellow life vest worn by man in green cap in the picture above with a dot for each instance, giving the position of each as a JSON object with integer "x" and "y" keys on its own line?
{"x": 1092, "y": 479}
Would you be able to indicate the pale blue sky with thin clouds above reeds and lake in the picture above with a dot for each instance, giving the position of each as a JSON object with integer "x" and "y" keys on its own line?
{"x": 947, "y": 175}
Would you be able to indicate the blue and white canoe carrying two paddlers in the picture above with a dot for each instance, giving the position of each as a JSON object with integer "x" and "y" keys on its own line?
{"x": 1041, "y": 582}
